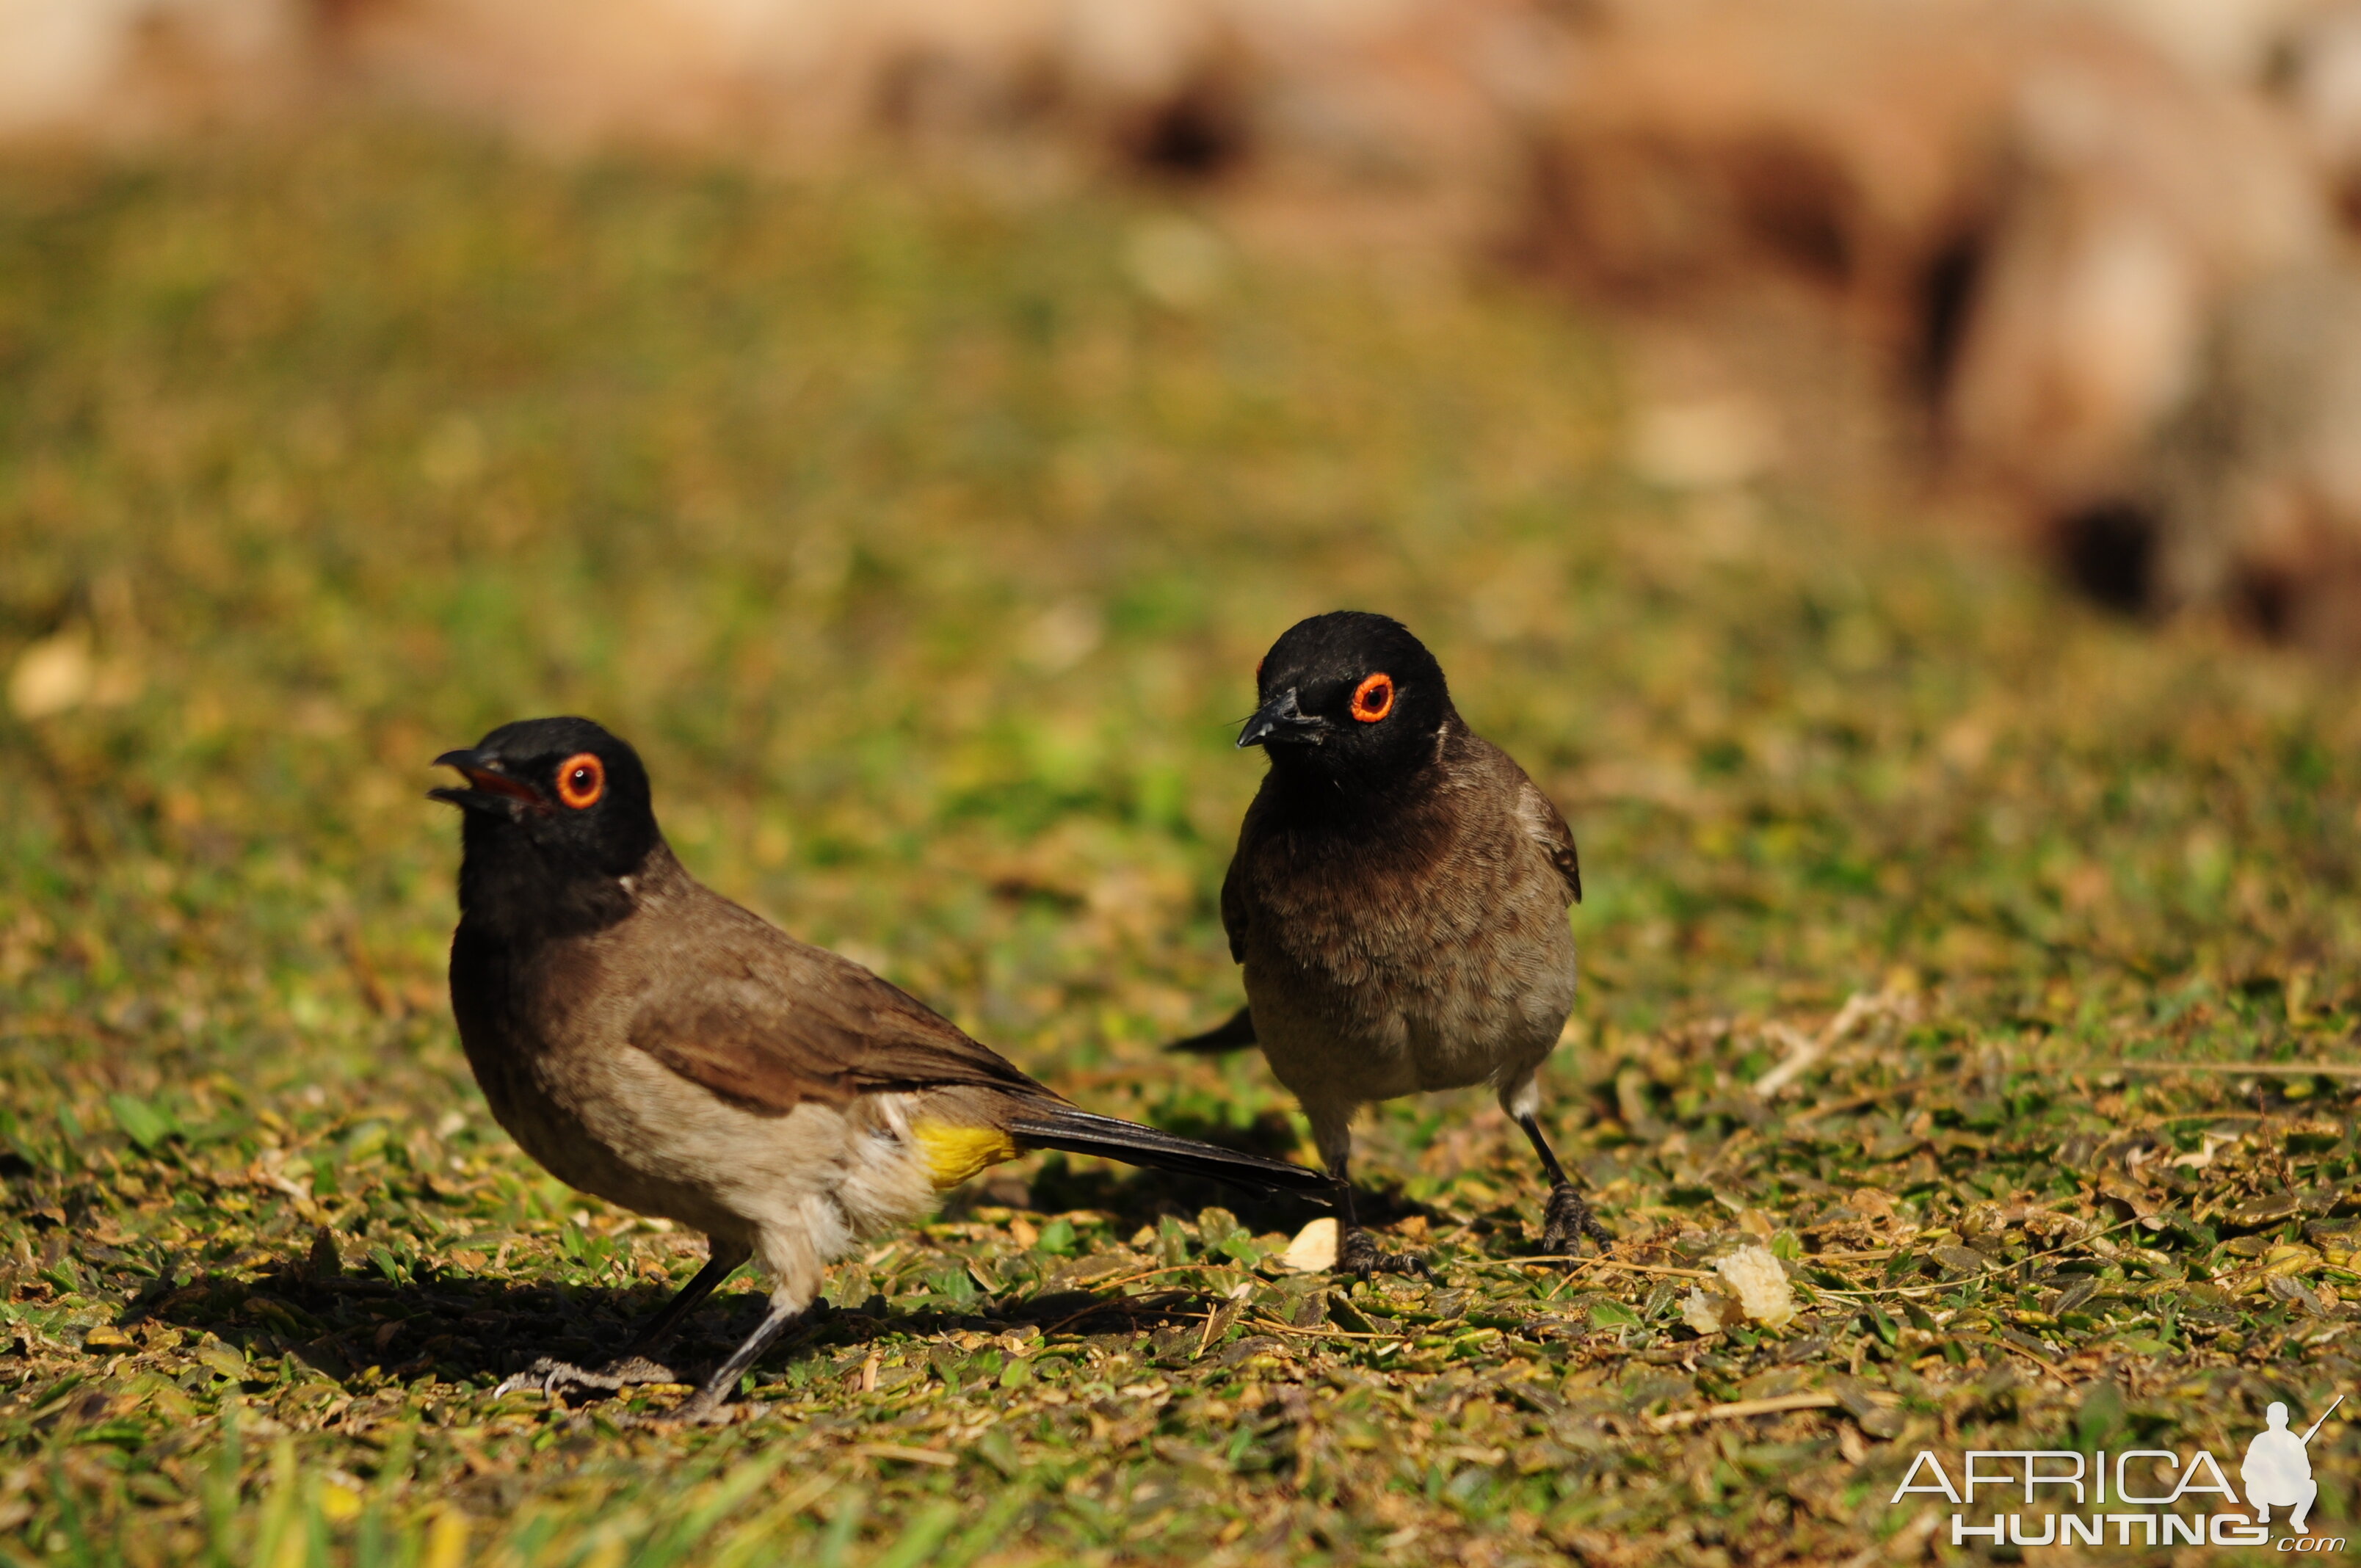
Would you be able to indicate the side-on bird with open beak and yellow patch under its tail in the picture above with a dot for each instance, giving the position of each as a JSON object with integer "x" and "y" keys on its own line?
{"x": 674, "y": 1054}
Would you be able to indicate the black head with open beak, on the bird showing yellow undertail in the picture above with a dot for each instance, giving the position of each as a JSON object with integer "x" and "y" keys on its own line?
{"x": 556, "y": 816}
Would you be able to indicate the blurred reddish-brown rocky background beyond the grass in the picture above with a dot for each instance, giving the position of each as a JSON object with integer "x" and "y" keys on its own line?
{"x": 2079, "y": 273}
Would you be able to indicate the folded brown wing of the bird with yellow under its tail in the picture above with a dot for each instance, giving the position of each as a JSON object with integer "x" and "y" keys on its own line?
{"x": 769, "y": 1021}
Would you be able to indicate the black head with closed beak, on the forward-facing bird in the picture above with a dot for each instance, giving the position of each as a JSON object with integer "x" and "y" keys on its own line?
{"x": 1352, "y": 698}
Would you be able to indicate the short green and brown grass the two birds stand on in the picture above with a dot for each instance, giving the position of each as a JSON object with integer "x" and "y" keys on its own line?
{"x": 927, "y": 544}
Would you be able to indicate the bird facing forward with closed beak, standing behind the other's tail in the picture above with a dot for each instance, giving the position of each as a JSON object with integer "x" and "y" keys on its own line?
{"x": 1399, "y": 906}
